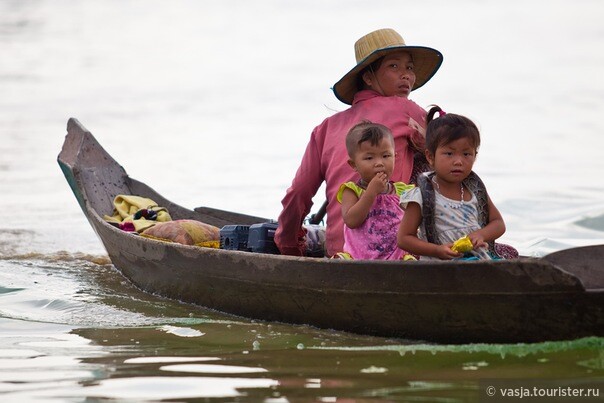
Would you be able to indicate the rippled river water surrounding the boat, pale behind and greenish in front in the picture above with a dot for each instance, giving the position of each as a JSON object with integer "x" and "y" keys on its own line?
{"x": 212, "y": 103}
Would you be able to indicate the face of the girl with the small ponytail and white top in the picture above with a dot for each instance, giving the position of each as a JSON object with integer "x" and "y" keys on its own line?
{"x": 453, "y": 162}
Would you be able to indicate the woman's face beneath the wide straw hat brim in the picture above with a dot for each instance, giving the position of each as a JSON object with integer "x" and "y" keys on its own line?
{"x": 395, "y": 77}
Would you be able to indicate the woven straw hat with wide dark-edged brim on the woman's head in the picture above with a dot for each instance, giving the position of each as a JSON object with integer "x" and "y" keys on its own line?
{"x": 377, "y": 44}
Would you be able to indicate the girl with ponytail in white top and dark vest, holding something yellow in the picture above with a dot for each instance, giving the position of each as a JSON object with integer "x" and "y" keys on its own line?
{"x": 451, "y": 202}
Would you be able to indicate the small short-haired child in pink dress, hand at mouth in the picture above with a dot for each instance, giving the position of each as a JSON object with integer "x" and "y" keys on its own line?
{"x": 370, "y": 207}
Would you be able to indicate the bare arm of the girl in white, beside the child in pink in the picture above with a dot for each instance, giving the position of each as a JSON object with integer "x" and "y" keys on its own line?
{"x": 407, "y": 236}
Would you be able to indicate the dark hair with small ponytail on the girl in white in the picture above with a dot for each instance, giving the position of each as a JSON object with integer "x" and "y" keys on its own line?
{"x": 449, "y": 127}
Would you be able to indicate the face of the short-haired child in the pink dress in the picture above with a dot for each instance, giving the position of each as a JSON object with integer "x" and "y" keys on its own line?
{"x": 369, "y": 160}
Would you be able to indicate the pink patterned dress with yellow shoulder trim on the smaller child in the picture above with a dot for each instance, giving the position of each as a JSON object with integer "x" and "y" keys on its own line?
{"x": 376, "y": 237}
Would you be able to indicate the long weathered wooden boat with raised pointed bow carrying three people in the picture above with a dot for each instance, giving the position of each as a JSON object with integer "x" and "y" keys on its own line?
{"x": 558, "y": 297}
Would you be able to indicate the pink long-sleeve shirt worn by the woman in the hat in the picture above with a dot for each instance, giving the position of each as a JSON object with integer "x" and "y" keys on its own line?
{"x": 326, "y": 159}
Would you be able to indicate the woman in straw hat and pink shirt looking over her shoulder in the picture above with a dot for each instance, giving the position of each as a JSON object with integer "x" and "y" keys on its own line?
{"x": 377, "y": 89}
